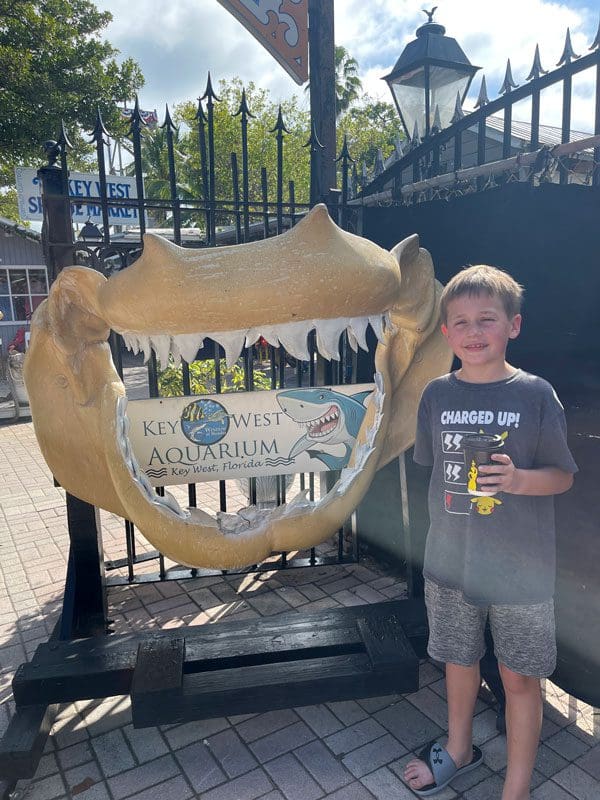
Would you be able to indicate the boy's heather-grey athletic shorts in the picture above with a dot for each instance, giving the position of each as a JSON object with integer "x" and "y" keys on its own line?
{"x": 524, "y": 636}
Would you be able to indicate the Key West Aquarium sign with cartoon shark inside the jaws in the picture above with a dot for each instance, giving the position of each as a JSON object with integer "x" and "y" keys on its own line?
{"x": 246, "y": 434}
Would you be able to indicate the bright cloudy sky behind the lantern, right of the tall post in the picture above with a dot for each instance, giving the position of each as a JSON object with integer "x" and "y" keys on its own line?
{"x": 375, "y": 34}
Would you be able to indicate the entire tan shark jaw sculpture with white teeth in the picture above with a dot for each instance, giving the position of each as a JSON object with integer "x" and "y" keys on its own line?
{"x": 314, "y": 277}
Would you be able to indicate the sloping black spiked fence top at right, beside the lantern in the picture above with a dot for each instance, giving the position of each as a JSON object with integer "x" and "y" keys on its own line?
{"x": 414, "y": 177}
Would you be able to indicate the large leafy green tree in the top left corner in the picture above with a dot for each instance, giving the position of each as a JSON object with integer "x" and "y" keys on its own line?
{"x": 54, "y": 66}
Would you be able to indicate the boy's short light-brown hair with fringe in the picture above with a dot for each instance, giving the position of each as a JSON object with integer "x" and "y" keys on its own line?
{"x": 482, "y": 279}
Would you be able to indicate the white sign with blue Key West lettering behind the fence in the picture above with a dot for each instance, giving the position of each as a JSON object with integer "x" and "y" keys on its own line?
{"x": 86, "y": 186}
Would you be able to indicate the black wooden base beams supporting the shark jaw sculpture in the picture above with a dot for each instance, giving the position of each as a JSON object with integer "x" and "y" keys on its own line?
{"x": 219, "y": 670}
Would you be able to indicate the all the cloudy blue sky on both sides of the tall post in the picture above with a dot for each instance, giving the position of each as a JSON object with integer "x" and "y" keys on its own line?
{"x": 177, "y": 42}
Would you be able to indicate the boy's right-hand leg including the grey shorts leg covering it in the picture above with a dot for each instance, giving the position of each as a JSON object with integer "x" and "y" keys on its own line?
{"x": 525, "y": 644}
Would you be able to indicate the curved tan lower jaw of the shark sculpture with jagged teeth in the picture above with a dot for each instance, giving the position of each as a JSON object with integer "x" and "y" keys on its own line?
{"x": 195, "y": 538}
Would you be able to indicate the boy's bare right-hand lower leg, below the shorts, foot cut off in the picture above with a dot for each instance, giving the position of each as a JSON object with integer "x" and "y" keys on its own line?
{"x": 523, "y": 726}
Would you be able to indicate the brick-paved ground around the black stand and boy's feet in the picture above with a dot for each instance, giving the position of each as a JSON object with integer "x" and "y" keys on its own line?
{"x": 340, "y": 751}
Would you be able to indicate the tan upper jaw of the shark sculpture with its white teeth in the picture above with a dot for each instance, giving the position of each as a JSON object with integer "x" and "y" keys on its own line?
{"x": 313, "y": 277}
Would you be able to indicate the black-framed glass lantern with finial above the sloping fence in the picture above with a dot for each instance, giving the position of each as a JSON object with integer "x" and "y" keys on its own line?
{"x": 427, "y": 77}
